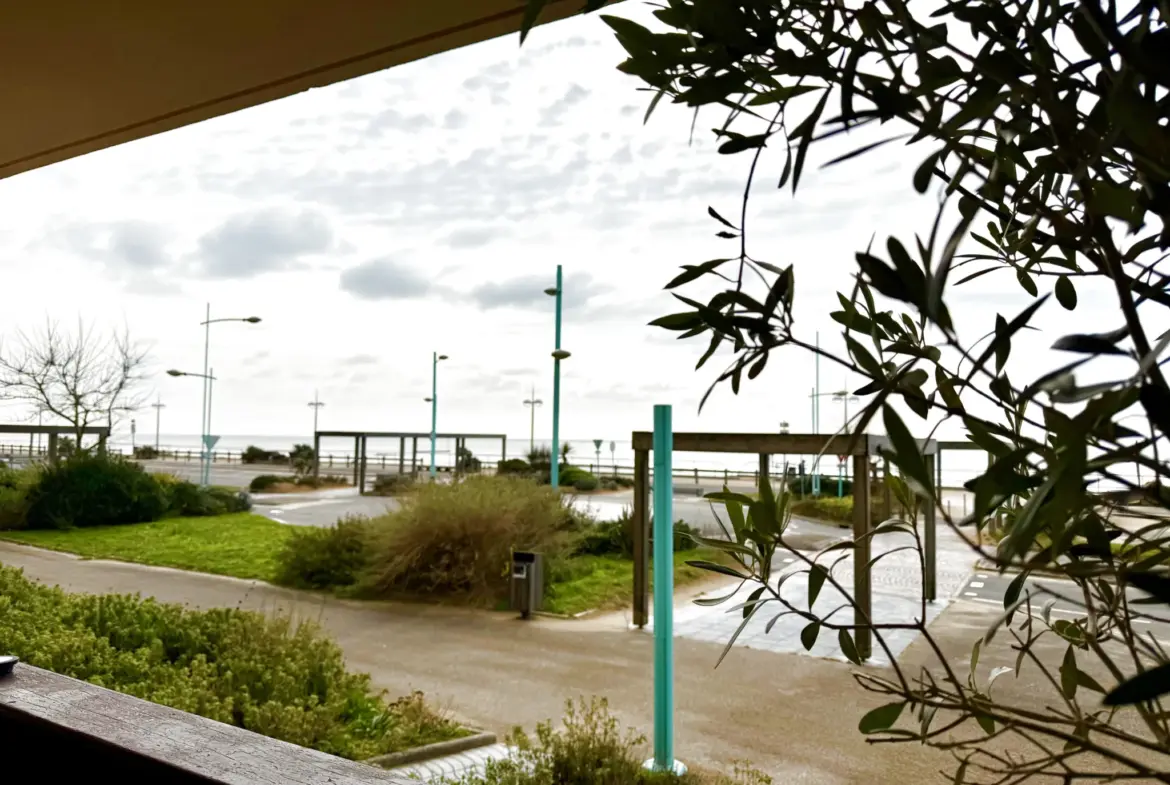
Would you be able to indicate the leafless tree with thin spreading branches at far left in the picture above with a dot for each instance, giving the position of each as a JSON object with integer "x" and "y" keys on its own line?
{"x": 84, "y": 378}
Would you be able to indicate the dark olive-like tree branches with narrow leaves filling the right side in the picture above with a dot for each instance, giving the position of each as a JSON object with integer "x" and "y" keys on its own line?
{"x": 1043, "y": 135}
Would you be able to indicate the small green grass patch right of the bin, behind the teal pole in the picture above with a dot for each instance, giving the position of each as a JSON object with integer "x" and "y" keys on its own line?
{"x": 603, "y": 583}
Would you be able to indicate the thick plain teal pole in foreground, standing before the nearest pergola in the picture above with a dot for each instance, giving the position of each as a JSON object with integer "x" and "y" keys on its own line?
{"x": 664, "y": 596}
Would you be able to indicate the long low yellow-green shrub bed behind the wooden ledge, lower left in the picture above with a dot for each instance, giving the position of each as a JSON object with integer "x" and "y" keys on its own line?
{"x": 267, "y": 676}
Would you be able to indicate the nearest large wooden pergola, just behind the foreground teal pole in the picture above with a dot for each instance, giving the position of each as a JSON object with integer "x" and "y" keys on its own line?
{"x": 766, "y": 445}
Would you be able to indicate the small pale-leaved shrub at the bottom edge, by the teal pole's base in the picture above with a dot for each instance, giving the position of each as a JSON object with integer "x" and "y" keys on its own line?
{"x": 590, "y": 749}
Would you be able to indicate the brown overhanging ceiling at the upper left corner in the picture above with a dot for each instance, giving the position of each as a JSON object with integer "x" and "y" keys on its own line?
{"x": 84, "y": 75}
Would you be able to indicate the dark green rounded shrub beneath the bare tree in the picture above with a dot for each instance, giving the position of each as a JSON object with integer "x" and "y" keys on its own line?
{"x": 94, "y": 491}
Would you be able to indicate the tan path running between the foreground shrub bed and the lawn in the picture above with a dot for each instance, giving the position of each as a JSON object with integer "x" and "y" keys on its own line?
{"x": 794, "y": 717}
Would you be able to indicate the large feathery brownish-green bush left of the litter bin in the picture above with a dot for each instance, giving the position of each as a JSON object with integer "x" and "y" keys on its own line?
{"x": 458, "y": 539}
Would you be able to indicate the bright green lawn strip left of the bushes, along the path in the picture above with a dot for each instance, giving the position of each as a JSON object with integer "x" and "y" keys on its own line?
{"x": 242, "y": 546}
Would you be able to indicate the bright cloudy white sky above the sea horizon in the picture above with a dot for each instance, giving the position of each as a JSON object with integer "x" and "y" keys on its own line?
{"x": 425, "y": 210}
